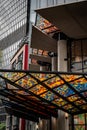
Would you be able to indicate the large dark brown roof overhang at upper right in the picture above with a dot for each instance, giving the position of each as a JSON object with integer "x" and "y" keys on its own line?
{"x": 71, "y": 19}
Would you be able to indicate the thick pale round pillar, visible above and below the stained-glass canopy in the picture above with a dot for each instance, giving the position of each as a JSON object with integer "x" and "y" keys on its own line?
{"x": 62, "y": 66}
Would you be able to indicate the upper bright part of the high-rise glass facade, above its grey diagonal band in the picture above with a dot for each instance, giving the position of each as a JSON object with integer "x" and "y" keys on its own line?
{"x": 13, "y": 15}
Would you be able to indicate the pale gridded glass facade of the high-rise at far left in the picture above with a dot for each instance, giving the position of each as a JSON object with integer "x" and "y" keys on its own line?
{"x": 13, "y": 19}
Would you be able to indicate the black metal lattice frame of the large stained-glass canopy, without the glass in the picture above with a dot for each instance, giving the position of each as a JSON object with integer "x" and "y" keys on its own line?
{"x": 35, "y": 104}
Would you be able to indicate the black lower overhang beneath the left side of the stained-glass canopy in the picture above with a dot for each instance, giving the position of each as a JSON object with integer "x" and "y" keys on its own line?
{"x": 19, "y": 110}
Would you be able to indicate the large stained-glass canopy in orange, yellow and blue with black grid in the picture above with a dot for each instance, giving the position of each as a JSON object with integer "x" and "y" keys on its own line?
{"x": 43, "y": 93}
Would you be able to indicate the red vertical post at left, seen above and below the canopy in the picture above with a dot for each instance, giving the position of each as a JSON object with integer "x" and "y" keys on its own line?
{"x": 25, "y": 67}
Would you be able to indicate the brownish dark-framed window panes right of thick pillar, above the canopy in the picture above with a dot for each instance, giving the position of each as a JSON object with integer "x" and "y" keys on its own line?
{"x": 79, "y": 56}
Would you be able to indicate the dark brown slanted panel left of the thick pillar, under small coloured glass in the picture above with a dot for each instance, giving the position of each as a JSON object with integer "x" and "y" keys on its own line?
{"x": 42, "y": 41}
